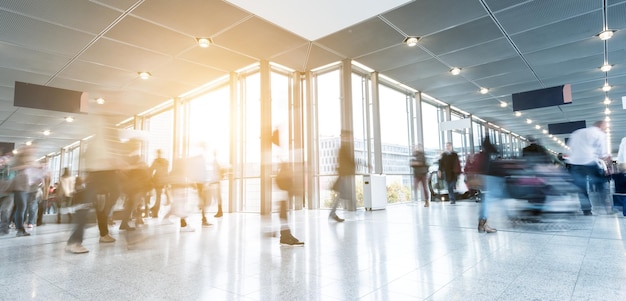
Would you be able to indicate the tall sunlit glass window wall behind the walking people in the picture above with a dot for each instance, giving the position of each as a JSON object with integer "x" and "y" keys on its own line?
{"x": 228, "y": 120}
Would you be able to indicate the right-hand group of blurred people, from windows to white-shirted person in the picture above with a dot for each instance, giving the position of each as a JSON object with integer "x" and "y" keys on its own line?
{"x": 585, "y": 168}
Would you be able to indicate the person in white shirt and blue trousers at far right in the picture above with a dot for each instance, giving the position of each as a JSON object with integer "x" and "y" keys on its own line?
{"x": 587, "y": 146}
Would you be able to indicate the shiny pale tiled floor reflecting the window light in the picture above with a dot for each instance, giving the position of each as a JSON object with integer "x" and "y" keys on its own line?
{"x": 405, "y": 252}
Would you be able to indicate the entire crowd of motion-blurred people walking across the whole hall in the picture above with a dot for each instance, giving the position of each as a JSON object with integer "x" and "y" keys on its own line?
{"x": 115, "y": 169}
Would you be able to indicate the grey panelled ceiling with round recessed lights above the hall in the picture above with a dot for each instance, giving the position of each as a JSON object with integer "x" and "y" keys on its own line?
{"x": 508, "y": 46}
